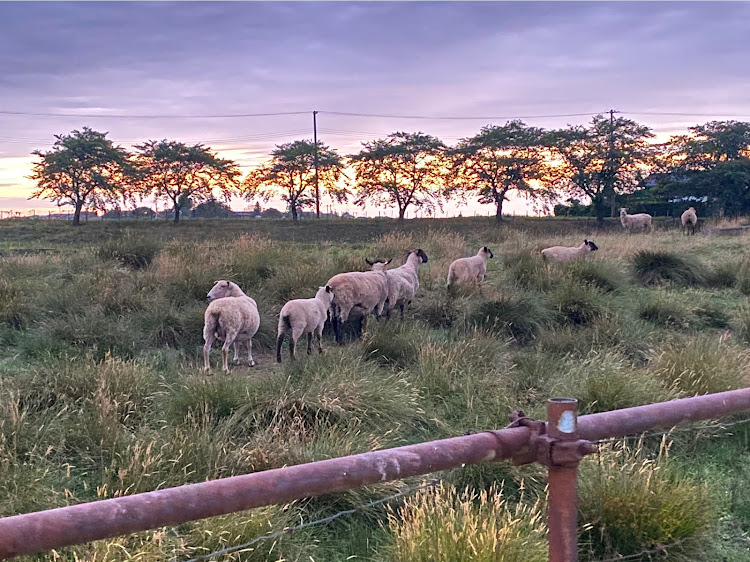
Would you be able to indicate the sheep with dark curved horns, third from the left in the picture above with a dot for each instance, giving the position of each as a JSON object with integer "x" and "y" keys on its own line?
{"x": 359, "y": 293}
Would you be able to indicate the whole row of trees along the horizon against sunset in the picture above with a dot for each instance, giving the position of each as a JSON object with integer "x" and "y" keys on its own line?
{"x": 609, "y": 161}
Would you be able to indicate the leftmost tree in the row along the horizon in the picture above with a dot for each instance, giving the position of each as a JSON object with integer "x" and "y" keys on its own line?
{"x": 83, "y": 168}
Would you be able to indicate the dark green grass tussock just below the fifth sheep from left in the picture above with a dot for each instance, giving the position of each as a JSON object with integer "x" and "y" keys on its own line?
{"x": 519, "y": 318}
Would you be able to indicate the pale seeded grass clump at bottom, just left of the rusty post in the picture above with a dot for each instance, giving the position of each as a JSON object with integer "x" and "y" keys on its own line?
{"x": 444, "y": 525}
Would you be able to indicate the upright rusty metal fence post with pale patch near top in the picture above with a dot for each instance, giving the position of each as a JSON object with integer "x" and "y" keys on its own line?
{"x": 562, "y": 514}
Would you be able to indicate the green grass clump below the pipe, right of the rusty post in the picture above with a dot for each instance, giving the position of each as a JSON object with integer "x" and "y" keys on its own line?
{"x": 629, "y": 503}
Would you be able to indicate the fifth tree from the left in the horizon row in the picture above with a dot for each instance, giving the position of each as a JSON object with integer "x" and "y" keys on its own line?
{"x": 497, "y": 161}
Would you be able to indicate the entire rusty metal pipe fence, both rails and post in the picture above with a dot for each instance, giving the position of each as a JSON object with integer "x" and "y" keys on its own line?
{"x": 559, "y": 443}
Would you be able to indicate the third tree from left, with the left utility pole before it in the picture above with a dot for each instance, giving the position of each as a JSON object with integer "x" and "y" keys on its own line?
{"x": 292, "y": 170}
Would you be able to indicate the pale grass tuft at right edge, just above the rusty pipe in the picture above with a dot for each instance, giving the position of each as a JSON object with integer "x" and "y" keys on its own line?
{"x": 698, "y": 365}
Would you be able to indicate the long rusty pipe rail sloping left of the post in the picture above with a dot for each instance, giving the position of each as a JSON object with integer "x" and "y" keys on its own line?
{"x": 55, "y": 528}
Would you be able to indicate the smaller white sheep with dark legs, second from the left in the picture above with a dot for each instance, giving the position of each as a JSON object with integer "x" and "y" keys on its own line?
{"x": 304, "y": 316}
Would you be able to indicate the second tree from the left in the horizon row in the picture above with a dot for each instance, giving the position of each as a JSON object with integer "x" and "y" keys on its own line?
{"x": 177, "y": 172}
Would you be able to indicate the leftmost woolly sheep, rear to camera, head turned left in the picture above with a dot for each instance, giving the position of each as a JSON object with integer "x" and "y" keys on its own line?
{"x": 231, "y": 316}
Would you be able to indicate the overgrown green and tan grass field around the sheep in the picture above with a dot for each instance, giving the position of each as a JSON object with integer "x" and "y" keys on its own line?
{"x": 103, "y": 392}
